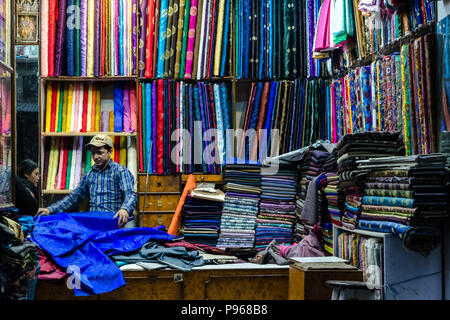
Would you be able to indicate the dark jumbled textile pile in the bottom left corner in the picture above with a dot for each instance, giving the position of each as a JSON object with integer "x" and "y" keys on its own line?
{"x": 19, "y": 262}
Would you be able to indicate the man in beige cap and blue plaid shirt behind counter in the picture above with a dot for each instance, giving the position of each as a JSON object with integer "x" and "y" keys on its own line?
{"x": 110, "y": 186}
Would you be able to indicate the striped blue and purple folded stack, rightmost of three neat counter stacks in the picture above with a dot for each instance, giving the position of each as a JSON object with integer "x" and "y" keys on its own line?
{"x": 276, "y": 208}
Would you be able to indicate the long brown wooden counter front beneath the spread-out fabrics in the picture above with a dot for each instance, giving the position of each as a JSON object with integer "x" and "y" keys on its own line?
{"x": 243, "y": 281}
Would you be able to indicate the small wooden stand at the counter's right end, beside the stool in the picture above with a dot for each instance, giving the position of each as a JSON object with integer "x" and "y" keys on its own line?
{"x": 310, "y": 285}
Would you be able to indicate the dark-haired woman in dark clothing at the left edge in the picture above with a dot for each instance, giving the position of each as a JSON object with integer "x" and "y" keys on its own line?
{"x": 26, "y": 186}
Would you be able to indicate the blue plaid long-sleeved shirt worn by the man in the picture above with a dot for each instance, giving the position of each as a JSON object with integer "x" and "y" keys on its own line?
{"x": 109, "y": 190}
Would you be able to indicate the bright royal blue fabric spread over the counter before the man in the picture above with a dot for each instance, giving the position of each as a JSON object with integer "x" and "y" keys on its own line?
{"x": 85, "y": 240}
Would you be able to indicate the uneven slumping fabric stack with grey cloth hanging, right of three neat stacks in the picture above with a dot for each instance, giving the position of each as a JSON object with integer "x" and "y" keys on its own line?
{"x": 310, "y": 168}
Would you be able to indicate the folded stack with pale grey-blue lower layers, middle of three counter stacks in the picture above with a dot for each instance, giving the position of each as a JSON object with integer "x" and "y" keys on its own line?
{"x": 242, "y": 192}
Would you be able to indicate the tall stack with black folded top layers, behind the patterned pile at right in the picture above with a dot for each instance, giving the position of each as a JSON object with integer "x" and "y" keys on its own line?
{"x": 361, "y": 146}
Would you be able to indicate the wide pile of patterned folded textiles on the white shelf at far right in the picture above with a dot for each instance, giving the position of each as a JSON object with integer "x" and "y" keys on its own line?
{"x": 409, "y": 190}
